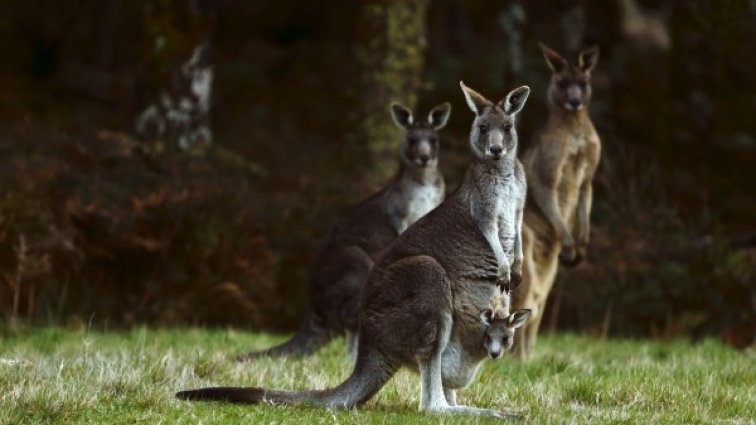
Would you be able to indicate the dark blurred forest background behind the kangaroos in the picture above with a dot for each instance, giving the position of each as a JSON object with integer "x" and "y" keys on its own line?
{"x": 100, "y": 225}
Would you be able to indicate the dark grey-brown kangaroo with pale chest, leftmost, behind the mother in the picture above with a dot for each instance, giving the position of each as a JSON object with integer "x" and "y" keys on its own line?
{"x": 343, "y": 263}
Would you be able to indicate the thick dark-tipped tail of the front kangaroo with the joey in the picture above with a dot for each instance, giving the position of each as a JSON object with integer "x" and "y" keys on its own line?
{"x": 371, "y": 372}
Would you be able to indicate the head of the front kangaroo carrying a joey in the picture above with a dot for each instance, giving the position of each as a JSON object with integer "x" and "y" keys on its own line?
{"x": 493, "y": 135}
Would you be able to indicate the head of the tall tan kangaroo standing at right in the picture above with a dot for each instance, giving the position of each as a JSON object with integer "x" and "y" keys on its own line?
{"x": 570, "y": 86}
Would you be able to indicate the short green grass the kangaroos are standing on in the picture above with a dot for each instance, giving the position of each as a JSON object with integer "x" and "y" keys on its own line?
{"x": 61, "y": 376}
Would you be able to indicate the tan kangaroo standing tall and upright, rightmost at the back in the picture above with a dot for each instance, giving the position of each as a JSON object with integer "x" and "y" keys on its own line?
{"x": 560, "y": 164}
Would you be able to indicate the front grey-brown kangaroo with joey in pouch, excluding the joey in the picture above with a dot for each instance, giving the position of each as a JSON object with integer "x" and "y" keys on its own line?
{"x": 430, "y": 274}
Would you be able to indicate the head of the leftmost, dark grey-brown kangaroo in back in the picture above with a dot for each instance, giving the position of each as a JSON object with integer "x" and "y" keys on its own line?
{"x": 420, "y": 145}
